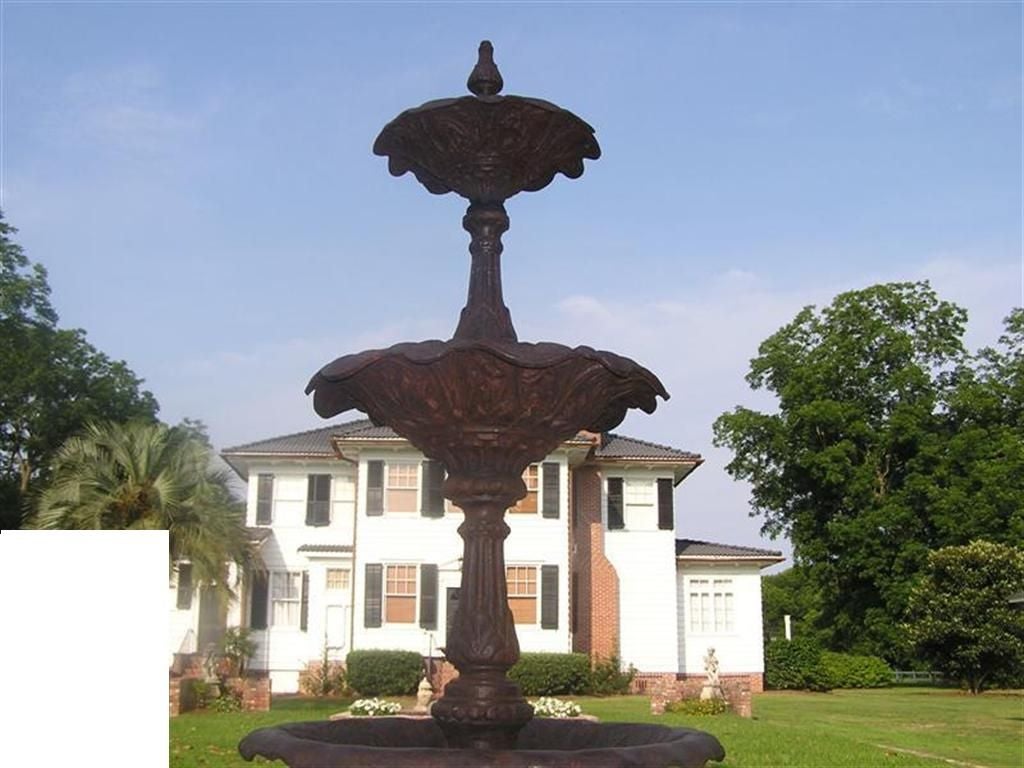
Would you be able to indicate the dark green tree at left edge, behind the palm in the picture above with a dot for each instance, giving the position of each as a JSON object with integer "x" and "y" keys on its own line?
{"x": 53, "y": 381}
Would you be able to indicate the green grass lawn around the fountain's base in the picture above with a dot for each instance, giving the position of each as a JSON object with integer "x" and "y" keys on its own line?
{"x": 860, "y": 730}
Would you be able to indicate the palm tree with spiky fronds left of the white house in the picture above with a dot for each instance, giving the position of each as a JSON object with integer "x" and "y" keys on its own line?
{"x": 144, "y": 476}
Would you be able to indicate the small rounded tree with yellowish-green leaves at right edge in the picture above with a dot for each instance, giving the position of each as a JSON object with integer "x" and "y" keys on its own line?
{"x": 961, "y": 618}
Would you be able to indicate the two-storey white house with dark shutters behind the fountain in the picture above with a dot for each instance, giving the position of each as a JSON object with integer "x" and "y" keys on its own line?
{"x": 362, "y": 551}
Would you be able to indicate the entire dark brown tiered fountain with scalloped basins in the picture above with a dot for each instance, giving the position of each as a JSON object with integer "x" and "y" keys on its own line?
{"x": 487, "y": 406}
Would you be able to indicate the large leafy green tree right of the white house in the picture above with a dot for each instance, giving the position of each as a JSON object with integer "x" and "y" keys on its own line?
{"x": 889, "y": 442}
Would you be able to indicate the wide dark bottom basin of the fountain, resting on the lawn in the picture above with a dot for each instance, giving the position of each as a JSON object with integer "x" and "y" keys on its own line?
{"x": 405, "y": 743}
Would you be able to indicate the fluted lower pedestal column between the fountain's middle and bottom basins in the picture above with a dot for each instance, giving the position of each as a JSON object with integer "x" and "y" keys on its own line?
{"x": 483, "y": 709}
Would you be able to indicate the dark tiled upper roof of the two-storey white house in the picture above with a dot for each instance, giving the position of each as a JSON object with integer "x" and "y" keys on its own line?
{"x": 320, "y": 443}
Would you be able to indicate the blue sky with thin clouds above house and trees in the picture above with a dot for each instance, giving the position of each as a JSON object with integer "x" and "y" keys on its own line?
{"x": 198, "y": 180}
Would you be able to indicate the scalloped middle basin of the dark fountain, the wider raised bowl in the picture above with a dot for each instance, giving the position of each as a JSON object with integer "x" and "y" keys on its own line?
{"x": 515, "y": 402}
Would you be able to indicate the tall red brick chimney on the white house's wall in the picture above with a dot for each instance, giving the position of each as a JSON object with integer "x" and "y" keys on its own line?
{"x": 598, "y": 593}
